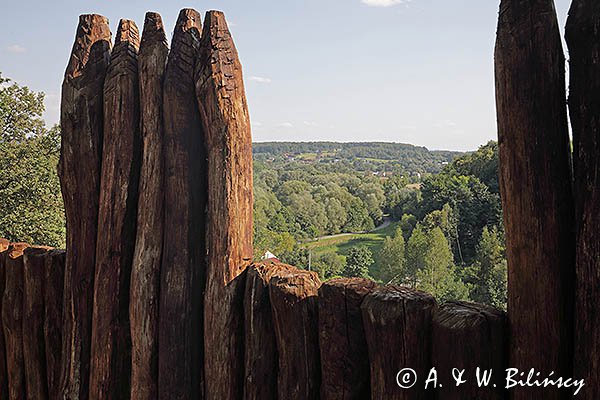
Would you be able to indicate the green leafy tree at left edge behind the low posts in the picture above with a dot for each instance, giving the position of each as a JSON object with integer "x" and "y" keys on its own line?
{"x": 29, "y": 187}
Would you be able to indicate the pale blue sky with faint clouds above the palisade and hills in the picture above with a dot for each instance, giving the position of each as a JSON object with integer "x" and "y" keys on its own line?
{"x": 411, "y": 71}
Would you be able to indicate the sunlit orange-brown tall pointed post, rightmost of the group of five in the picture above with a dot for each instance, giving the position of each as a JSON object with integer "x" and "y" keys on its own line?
{"x": 224, "y": 111}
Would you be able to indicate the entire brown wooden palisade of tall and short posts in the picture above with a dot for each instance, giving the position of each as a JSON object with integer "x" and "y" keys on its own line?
{"x": 156, "y": 296}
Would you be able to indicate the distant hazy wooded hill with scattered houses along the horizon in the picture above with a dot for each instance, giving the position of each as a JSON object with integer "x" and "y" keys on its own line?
{"x": 413, "y": 159}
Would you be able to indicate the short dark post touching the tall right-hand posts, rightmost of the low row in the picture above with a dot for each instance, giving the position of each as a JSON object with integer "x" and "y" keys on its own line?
{"x": 468, "y": 336}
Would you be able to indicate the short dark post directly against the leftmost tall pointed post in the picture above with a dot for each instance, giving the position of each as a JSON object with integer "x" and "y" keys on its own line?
{"x": 54, "y": 273}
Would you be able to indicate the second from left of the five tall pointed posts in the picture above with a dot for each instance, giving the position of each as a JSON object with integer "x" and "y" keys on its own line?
{"x": 110, "y": 367}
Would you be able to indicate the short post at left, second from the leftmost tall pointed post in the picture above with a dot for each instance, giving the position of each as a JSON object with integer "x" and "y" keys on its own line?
{"x": 34, "y": 348}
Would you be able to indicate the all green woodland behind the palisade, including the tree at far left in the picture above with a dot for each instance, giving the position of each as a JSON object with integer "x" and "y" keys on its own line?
{"x": 436, "y": 215}
